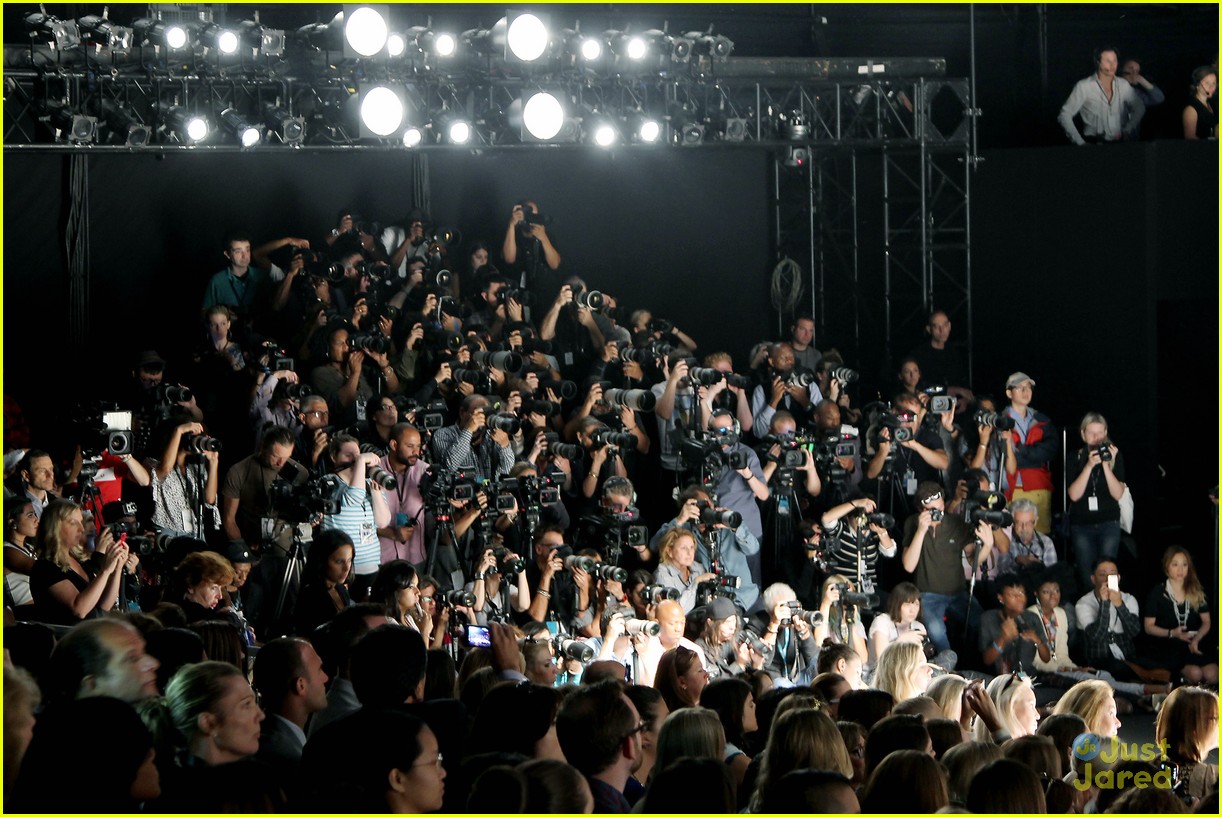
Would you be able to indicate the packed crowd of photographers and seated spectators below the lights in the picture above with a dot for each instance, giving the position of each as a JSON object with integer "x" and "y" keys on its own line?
{"x": 403, "y": 539}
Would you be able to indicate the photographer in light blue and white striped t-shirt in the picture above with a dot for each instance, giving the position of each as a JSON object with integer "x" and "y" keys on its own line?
{"x": 362, "y": 510}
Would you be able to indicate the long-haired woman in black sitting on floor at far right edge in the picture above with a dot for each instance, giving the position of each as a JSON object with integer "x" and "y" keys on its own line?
{"x": 1177, "y": 623}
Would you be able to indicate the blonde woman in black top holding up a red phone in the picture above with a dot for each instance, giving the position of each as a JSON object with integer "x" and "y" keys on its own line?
{"x": 68, "y": 586}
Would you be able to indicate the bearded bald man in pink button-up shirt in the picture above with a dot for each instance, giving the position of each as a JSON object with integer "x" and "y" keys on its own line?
{"x": 403, "y": 538}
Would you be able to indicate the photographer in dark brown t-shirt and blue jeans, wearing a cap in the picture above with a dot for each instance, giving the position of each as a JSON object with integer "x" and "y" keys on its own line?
{"x": 934, "y": 546}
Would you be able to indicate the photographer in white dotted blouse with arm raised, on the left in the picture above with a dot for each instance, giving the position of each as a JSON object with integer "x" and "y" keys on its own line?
{"x": 180, "y": 496}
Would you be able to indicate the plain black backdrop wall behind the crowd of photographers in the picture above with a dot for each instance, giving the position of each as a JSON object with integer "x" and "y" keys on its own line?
{"x": 1096, "y": 271}
